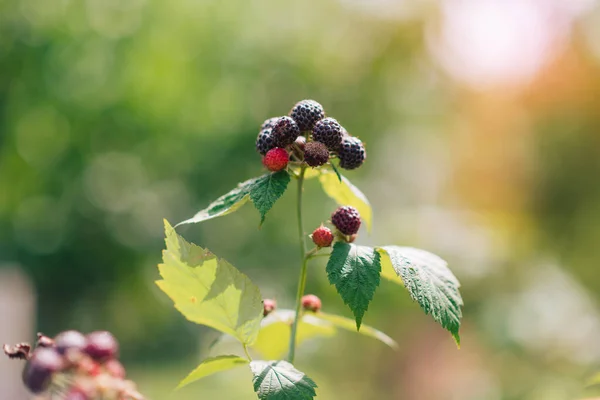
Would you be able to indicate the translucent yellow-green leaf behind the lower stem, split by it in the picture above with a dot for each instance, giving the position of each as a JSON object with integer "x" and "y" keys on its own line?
{"x": 274, "y": 336}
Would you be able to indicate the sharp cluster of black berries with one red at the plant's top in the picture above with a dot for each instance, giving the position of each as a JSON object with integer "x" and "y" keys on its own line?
{"x": 307, "y": 136}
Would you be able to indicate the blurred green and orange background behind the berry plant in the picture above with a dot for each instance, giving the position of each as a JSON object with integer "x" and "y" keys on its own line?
{"x": 482, "y": 124}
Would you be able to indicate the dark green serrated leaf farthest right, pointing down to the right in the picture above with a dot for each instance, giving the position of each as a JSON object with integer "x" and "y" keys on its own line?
{"x": 429, "y": 282}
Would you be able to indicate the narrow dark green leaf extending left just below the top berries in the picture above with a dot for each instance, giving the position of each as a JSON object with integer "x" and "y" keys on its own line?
{"x": 264, "y": 192}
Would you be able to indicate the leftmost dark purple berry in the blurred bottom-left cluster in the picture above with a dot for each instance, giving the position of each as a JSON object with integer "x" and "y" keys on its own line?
{"x": 37, "y": 374}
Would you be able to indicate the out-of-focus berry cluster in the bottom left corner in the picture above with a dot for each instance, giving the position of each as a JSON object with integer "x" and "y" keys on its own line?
{"x": 74, "y": 367}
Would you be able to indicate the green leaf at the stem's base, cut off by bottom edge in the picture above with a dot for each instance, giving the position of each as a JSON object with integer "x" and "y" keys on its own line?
{"x": 279, "y": 380}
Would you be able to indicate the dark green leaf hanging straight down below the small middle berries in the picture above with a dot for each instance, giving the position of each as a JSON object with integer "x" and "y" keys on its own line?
{"x": 355, "y": 271}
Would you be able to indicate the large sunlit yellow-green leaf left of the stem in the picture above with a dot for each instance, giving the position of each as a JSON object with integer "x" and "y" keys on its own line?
{"x": 208, "y": 290}
